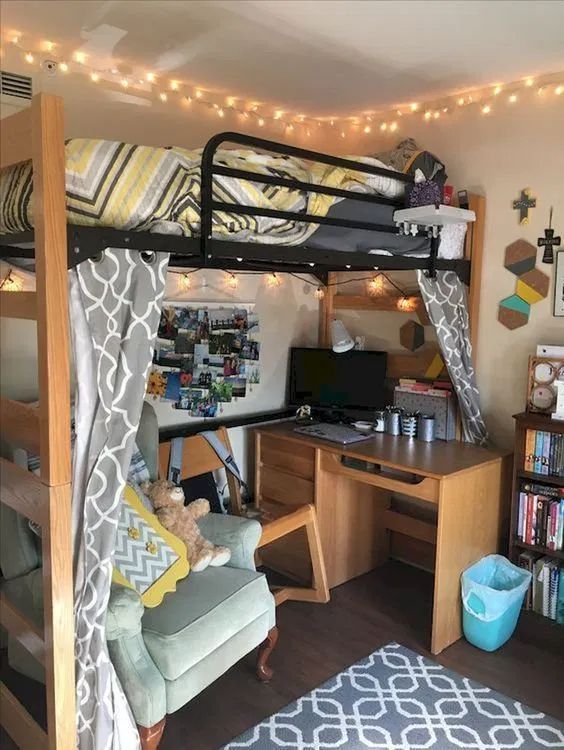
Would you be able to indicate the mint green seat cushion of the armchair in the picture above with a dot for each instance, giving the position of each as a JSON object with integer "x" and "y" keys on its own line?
{"x": 204, "y": 612}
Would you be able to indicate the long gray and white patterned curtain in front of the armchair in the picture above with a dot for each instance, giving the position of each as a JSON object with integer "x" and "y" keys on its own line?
{"x": 114, "y": 310}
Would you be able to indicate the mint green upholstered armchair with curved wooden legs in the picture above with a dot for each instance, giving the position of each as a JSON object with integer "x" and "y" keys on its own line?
{"x": 166, "y": 655}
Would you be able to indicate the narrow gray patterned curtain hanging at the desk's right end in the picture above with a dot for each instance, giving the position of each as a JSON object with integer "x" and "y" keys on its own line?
{"x": 446, "y": 302}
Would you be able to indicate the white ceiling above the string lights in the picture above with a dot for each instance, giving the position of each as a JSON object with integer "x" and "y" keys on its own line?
{"x": 320, "y": 57}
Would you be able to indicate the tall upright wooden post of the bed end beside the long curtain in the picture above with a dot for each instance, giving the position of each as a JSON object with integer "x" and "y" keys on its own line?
{"x": 49, "y": 193}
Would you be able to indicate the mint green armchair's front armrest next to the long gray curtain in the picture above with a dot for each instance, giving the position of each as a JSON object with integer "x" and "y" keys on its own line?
{"x": 142, "y": 682}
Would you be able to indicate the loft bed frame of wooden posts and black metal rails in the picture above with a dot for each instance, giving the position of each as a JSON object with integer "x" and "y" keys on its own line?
{"x": 55, "y": 245}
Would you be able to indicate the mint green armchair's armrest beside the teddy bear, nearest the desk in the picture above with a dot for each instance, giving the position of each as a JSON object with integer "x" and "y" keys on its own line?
{"x": 241, "y": 535}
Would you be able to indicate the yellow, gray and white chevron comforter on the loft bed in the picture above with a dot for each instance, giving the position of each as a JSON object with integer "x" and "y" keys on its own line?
{"x": 128, "y": 187}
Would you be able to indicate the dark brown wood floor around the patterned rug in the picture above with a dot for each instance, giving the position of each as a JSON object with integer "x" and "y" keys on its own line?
{"x": 393, "y": 603}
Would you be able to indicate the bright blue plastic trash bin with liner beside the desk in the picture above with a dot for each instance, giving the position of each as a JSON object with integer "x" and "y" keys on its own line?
{"x": 493, "y": 590}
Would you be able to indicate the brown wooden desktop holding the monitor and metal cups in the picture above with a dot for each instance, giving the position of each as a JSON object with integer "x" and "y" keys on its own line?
{"x": 437, "y": 459}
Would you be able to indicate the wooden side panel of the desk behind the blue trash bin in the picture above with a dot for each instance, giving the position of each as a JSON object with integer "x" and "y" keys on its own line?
{"x": 470, "y": 512}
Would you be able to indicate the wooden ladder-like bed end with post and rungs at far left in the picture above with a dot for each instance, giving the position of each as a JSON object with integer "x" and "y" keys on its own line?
{"x": 37, "y": 133}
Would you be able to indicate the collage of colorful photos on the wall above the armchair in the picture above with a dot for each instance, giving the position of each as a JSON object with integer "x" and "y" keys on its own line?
{"x": 204, "y": 357}
